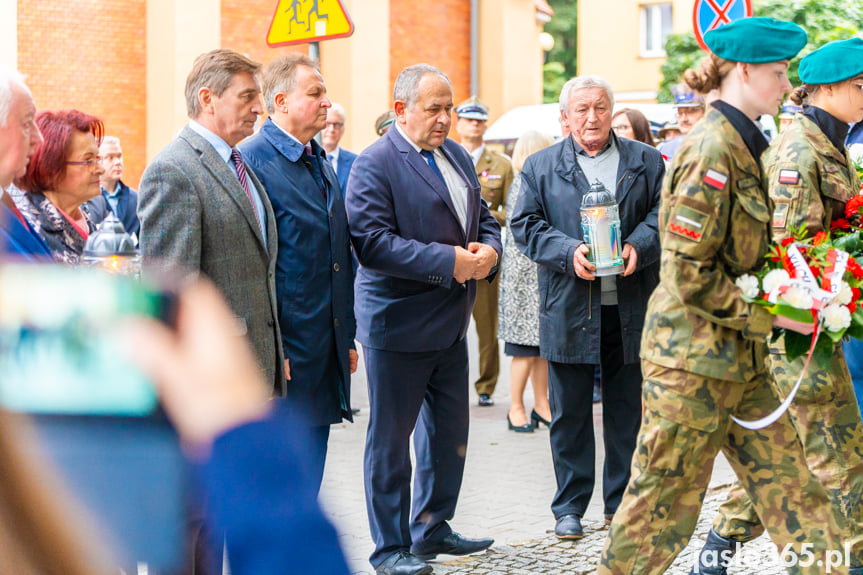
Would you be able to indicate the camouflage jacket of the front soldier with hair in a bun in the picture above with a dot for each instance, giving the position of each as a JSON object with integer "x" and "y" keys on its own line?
{"x": 714, "y": 220}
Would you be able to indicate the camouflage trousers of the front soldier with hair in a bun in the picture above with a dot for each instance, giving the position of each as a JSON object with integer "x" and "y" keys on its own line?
{"x": 686, "y": 422}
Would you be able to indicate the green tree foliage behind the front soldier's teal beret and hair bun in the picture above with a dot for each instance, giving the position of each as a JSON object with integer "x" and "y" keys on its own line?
{"x": 823, "y": 20}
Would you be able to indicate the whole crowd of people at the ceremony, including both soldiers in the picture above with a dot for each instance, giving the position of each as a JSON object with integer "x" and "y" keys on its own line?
{"x": 308, "y": 248}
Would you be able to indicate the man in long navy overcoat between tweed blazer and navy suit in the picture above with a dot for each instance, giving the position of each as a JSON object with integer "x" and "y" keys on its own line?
{"x": 314, "y": 280}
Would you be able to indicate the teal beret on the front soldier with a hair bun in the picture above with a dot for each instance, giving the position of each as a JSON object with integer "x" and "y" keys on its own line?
{"x": 756, "y": 40}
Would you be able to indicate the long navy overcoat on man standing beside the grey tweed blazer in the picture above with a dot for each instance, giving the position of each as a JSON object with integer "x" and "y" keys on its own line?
{"x": 314, "y": 277}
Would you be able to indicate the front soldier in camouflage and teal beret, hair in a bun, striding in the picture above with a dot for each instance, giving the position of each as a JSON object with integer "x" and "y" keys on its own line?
{"x": 703, "y": 347}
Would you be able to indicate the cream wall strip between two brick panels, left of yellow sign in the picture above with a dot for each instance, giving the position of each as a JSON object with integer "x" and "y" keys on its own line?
{"x": 177, "y": 32}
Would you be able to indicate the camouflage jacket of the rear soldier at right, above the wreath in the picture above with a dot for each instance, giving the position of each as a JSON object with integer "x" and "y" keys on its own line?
{"x": 808, "y": 179}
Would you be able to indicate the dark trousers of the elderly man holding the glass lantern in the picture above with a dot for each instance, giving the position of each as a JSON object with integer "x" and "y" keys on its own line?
{"x": 573, "y": 448}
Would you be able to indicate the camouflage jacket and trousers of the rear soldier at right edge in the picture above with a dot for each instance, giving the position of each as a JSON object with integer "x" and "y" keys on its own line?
{"x": 810, "y": 181}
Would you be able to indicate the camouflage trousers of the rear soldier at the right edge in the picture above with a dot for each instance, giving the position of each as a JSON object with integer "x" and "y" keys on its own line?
{"x": 827, "y": 418}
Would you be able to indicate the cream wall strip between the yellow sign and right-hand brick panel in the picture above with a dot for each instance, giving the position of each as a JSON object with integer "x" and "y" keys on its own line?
{"x": 356, "y": 70}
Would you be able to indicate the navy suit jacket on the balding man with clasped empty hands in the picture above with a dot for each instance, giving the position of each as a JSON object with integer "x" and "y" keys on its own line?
{"x": 403, "y": 228}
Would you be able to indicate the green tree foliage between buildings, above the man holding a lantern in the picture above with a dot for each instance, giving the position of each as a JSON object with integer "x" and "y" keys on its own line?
{"x": 561, "y": 61}
